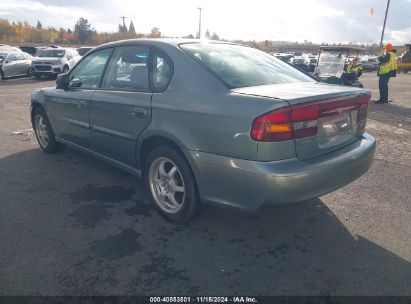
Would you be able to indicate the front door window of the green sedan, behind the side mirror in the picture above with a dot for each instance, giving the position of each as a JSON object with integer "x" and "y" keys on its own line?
{"x": 88, "y": 73}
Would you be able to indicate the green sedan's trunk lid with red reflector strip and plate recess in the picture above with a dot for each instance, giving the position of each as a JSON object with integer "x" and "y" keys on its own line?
{"x": 323, "y": 117}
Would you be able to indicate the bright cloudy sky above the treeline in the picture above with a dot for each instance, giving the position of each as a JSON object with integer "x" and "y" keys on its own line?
{"x": 291, "y": 20}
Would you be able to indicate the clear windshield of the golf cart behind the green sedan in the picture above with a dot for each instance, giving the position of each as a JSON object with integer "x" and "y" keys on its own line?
{"x": 331, "y": 64}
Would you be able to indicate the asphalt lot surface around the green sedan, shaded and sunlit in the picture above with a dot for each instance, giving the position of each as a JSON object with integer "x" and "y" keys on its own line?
{"x": 70, "y": 224}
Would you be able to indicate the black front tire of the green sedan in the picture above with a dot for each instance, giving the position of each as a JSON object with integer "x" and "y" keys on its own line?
{"x": 51, "y": 146}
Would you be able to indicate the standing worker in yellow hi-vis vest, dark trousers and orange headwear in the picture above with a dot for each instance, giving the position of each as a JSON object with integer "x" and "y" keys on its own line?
{"x": 388, "y": 69}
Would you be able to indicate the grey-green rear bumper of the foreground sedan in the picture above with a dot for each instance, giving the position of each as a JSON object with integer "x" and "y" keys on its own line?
{"x": 249, "y": 184}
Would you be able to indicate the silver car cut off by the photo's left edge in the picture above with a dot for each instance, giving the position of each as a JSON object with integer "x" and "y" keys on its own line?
{"x": 15, "y": 64}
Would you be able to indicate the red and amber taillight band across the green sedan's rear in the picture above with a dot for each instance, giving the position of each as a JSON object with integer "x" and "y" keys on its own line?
{"x": 302, "y": 120}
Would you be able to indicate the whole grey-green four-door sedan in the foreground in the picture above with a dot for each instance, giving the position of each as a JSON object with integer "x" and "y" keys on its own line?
{"x": 207, "y": 123}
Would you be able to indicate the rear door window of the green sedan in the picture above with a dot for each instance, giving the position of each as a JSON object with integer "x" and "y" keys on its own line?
{"x": 128, "y": 69}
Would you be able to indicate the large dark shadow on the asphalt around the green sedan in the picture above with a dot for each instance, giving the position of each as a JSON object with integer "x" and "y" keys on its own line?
{"x": 74, "y": 225}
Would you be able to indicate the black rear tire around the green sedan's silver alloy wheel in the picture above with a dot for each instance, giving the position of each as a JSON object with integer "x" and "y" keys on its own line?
{"x": 191, "y": 205}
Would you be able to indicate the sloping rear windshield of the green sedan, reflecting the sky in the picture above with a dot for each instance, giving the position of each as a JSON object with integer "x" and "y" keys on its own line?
{"x": 239, "y": 66}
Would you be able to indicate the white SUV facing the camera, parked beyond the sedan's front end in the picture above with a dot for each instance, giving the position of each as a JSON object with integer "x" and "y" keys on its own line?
{"x": 54, "y": 61}
